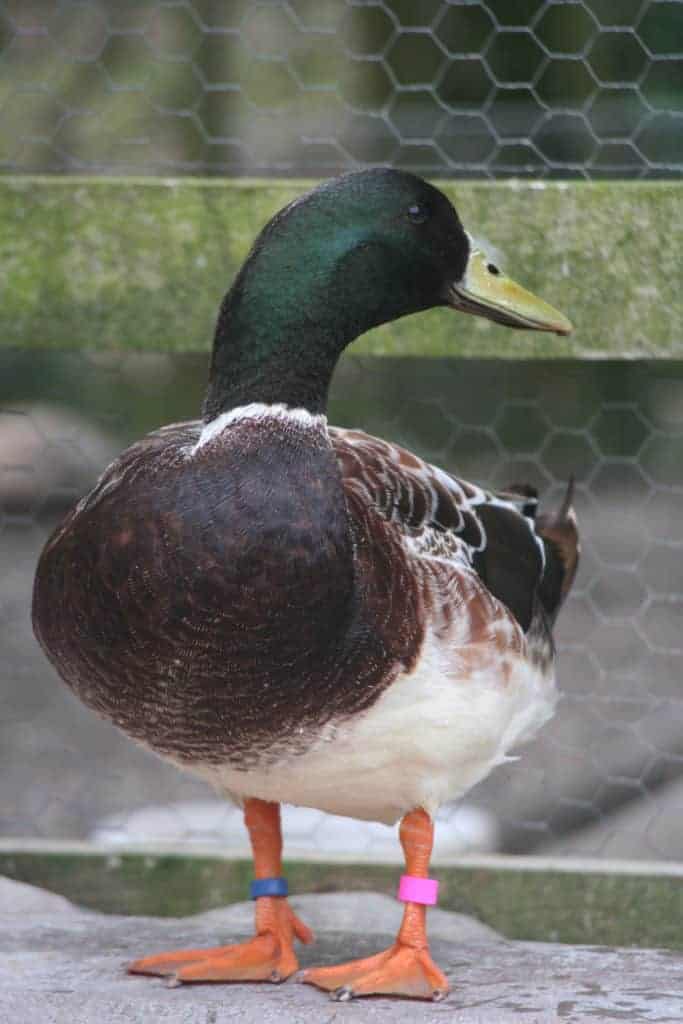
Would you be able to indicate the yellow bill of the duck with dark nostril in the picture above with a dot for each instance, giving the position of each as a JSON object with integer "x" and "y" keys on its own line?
{"x": 486, "y": 291}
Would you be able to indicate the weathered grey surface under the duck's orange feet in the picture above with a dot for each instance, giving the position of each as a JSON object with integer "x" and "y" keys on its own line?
{"x": 62, "y": 965}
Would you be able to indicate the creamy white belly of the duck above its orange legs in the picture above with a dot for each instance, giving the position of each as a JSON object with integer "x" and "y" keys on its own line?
{"x": 434, "y": 735}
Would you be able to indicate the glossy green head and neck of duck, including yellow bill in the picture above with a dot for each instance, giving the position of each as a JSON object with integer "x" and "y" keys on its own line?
{"x": 359, "y": 251}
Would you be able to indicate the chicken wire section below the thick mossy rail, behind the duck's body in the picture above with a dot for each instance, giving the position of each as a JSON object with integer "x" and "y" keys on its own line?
{"x": 606, "y": 777}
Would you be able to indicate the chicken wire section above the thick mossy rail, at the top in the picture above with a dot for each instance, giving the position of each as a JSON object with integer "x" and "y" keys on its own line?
{"x": 584, "y": 89}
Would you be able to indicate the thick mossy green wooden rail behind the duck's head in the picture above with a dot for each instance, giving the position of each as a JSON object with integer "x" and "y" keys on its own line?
{"x": 125, "y": 264}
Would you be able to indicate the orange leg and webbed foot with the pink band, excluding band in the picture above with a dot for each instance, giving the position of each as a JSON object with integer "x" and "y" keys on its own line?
{"x": 407, "y": 968}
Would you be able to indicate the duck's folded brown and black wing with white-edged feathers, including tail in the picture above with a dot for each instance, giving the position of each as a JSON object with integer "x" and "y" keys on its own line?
{"x": 442, "y": 517}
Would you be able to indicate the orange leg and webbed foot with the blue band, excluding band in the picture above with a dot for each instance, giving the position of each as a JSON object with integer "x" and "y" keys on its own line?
{"x": 270, "y": 956}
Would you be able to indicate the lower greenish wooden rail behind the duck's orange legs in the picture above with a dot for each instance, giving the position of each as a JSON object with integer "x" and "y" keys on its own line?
{"x": 605, "y": 904}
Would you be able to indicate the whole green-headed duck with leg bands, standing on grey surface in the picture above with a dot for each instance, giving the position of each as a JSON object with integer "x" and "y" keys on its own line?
{"x": 301, "y": 614}
